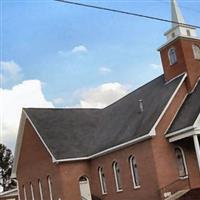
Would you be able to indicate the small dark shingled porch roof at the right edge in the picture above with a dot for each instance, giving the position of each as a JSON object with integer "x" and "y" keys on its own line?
{"x": 188, "y": 112}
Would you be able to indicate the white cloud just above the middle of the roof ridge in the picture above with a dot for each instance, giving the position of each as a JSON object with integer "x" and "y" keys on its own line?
{"x": 102, "y": 95}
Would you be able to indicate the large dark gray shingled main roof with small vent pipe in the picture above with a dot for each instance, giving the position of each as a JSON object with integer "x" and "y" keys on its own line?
{"x": 72, "y": 133}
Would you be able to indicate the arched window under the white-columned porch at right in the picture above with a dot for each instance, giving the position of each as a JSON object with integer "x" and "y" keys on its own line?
{"x": 182, "y": 168}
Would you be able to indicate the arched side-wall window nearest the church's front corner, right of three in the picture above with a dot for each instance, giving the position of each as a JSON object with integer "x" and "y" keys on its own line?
{"x": 134, "y": 172}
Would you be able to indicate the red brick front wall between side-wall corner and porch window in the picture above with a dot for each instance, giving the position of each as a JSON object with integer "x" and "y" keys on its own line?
{"x": 164, "y": 156}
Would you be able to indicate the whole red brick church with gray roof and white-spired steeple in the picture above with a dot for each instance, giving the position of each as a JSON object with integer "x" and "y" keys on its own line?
{"x": 145, "y": 146}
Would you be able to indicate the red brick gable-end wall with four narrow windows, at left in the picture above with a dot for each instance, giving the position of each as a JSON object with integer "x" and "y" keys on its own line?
{"x": 36, "y": 163}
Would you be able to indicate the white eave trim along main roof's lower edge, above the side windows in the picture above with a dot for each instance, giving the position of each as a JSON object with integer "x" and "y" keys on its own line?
{"x": 112, "y": 149}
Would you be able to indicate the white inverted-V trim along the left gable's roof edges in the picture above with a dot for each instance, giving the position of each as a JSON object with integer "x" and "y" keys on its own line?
{"x": 18, "y": 145}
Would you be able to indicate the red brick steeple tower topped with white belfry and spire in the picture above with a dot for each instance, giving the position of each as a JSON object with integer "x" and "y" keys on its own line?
{"x": 181, "y": 53}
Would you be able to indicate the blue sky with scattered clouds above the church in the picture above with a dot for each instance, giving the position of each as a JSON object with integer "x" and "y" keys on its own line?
{"x": 73, "y": 52}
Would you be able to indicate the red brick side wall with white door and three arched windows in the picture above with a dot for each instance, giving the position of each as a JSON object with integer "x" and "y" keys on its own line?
{"x": 72, "y": 171}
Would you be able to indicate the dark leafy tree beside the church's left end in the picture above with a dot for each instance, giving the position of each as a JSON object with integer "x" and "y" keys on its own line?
{"x": 6, "y": 162}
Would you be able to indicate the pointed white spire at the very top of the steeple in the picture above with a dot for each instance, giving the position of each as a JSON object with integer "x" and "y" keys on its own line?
{"x": 176, "y": 13}
